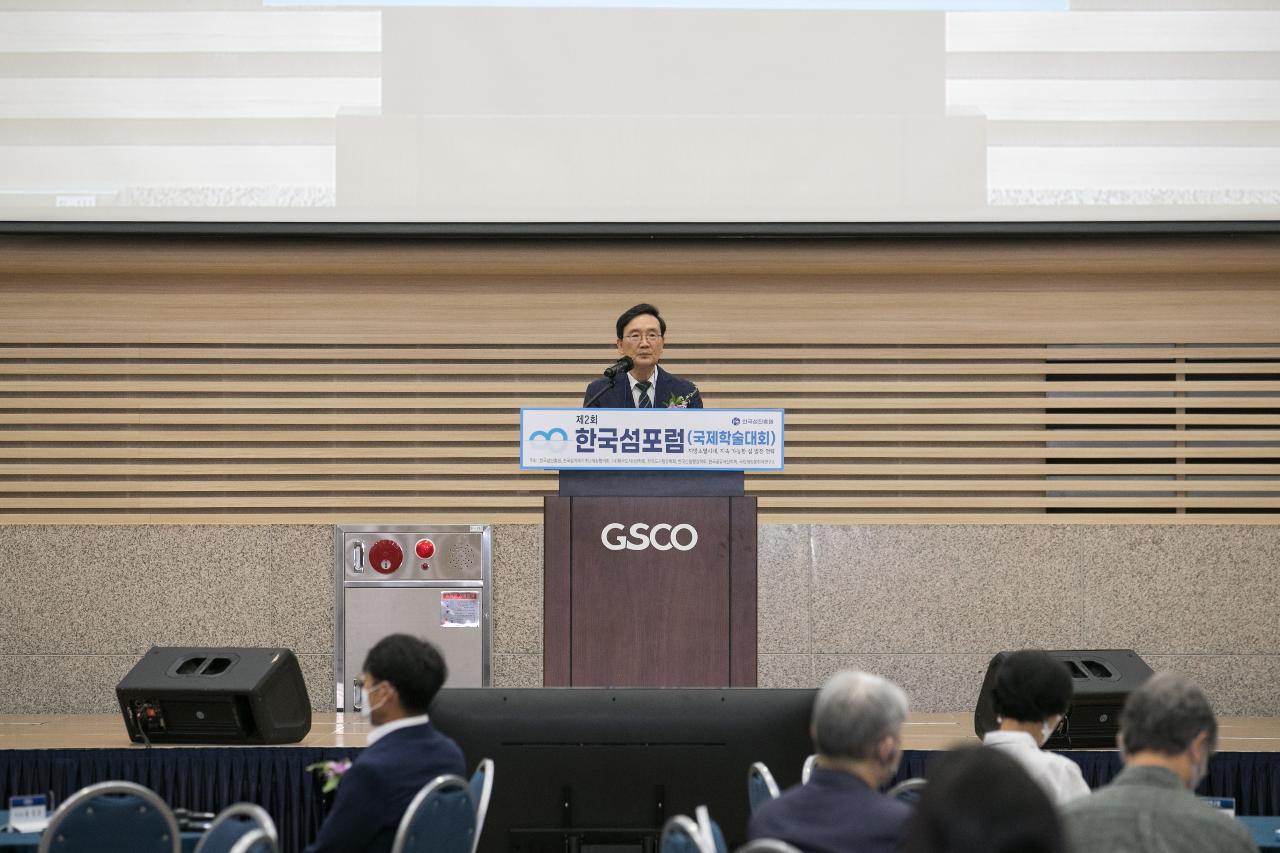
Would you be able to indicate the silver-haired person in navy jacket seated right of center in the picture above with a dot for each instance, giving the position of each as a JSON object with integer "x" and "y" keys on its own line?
{"x": 857, "y": 731}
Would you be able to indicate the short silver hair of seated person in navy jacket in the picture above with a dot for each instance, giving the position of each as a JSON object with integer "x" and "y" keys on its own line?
{"x": 854, "y": 713}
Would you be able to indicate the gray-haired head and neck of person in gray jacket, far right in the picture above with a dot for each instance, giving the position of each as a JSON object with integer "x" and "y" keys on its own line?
{"x": 1169, "y": 723}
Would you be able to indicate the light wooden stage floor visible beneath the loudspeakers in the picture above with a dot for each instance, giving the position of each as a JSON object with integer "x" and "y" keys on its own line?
{"x": 927, "y": 732}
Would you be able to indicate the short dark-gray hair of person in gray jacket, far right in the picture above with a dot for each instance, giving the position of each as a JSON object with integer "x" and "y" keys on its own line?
{"x": 1165, "y": 715}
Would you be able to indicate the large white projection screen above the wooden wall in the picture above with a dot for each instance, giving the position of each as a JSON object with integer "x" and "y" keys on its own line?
{"x": 633, "y": 112}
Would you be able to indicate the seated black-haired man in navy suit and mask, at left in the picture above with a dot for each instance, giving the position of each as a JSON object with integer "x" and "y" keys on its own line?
{"x": 401, "y": 677}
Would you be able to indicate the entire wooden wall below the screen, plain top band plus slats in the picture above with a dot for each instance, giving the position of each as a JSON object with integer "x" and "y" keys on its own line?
{"x": 153, "y": 381}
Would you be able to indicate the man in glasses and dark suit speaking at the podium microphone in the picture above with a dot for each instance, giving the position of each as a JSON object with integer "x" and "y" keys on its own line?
{"x": 642, "y": 334}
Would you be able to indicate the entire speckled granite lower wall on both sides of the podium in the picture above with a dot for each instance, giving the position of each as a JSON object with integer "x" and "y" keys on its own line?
{"x": 926, "y": 605}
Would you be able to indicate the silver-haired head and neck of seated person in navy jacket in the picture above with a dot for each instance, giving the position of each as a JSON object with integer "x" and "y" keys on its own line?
{"x": 858, "y": 726}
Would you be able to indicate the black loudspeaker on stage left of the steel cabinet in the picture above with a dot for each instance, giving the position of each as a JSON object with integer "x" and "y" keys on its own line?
{"x": 216, "y": 696}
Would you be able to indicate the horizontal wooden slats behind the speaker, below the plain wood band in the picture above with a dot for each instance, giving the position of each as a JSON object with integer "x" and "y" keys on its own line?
{"x": 130, "y": 434}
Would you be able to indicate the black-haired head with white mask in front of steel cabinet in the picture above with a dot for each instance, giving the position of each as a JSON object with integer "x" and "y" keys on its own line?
{"x": 403, "y": 674}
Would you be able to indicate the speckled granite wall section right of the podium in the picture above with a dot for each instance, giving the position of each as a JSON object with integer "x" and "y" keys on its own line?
{"x": 929, "y": 605}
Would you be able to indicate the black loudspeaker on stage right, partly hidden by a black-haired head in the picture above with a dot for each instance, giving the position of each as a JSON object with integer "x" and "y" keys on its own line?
{"x": 1101, "y": 679}
